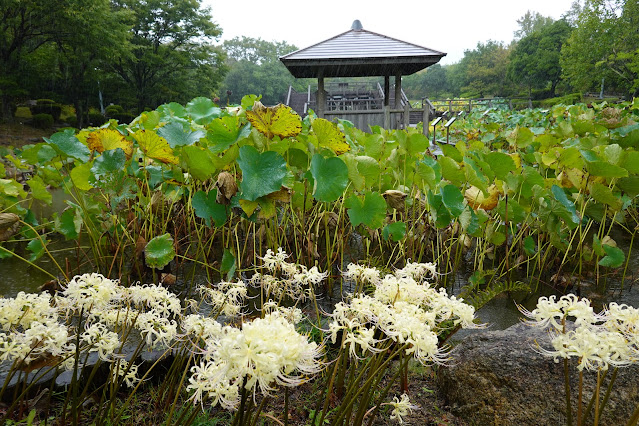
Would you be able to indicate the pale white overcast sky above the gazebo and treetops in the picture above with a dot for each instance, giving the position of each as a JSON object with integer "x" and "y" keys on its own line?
{"x": 450, "y": 26}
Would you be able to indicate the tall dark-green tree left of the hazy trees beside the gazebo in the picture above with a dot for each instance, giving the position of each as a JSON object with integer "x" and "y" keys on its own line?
{"x": 170, "y": 41}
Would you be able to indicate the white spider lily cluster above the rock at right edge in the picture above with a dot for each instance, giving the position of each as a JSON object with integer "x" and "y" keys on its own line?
{"x": 597, "y": 341}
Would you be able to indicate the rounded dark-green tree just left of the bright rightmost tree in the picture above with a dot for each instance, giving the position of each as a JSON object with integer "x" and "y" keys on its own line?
{"x": 534, "y": 61}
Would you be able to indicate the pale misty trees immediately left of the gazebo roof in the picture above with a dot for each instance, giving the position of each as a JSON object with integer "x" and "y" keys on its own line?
{"x": 254, "y": 67}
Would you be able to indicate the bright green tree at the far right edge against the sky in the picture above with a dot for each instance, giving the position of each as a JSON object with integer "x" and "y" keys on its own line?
{"x": 604, "y": 46}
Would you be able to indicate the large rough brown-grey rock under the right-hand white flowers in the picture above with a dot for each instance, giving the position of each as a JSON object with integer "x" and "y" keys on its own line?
{"x": 497, "y": 378}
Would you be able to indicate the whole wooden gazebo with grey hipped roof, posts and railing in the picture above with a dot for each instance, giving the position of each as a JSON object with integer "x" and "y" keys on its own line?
{"x": 362, "y": 53}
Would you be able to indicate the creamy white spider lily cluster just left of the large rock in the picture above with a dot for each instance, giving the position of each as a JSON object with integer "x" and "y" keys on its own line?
{"x": 403, "y": 309}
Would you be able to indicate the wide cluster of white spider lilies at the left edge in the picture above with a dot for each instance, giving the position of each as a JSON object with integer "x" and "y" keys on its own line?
{"x": 44, "y": 328}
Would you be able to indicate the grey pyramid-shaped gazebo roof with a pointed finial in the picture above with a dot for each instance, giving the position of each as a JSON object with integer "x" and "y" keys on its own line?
{"x": 359, "y": 53}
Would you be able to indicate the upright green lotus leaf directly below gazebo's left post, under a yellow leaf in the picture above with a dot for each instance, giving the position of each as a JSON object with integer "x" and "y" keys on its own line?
{"x": 330, "y": 178}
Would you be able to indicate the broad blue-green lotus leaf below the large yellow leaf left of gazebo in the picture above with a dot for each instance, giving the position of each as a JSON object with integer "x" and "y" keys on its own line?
{"x": 262, "y": 173}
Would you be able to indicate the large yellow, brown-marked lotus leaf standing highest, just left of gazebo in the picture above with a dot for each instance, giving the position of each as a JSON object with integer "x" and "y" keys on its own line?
{"x": 279, "y": 120}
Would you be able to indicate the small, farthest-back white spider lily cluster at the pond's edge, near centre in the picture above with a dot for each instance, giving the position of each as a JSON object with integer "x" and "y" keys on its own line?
{"x": 287, "y": 279}
